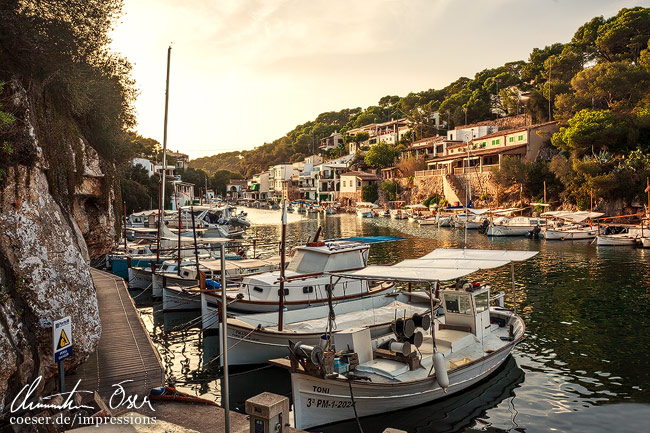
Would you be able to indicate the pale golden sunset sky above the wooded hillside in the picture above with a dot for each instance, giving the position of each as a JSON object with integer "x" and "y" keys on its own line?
{"x": 246, "y": 72}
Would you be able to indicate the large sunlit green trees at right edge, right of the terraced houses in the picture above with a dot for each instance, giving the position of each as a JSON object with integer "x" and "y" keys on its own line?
{"x": 600, "y": 82}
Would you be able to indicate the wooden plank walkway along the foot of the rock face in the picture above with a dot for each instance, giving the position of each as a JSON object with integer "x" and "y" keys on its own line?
{"x": 125, "y": 351}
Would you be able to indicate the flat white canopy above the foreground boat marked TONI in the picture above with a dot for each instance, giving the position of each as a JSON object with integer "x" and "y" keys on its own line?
{"x": 441, "y": 265}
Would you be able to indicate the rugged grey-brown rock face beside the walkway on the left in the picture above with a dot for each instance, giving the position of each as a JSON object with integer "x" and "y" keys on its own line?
{"x": 46, "y": 243}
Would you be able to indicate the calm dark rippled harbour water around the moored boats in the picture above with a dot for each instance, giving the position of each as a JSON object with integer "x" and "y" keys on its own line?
{"x": 585, "y": 366}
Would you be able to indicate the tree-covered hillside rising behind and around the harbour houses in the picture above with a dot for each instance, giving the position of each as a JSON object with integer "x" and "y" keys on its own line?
{"x": 597, "y": 86}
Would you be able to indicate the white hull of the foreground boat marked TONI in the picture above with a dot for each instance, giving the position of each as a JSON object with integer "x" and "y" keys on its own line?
{"x": 318, "y": 401}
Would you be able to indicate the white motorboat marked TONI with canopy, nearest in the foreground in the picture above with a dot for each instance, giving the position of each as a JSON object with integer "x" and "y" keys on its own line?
{"x": 360, "y": 374}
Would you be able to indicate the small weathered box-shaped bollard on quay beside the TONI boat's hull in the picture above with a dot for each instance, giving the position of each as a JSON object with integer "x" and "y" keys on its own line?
{"x": 268, "y": 413}
